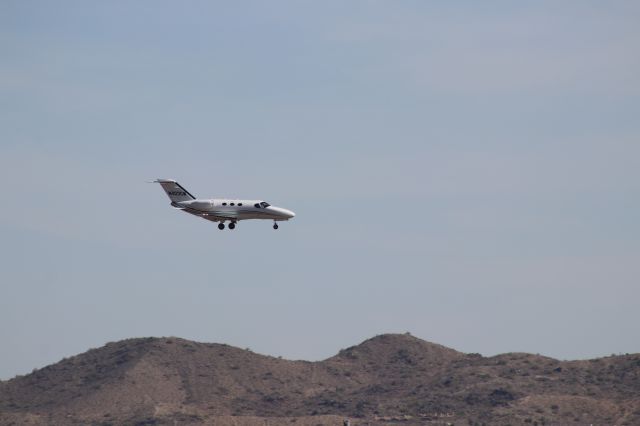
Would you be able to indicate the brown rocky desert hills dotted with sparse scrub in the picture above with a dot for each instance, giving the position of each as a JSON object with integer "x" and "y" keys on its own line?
{"x": 389, "y": 379}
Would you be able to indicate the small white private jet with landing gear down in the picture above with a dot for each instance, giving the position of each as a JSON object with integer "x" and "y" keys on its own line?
{"x": 222, "y": 210}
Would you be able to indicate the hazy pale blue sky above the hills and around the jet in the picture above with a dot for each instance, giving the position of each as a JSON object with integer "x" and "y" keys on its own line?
{"x": 465, "y": 171}
